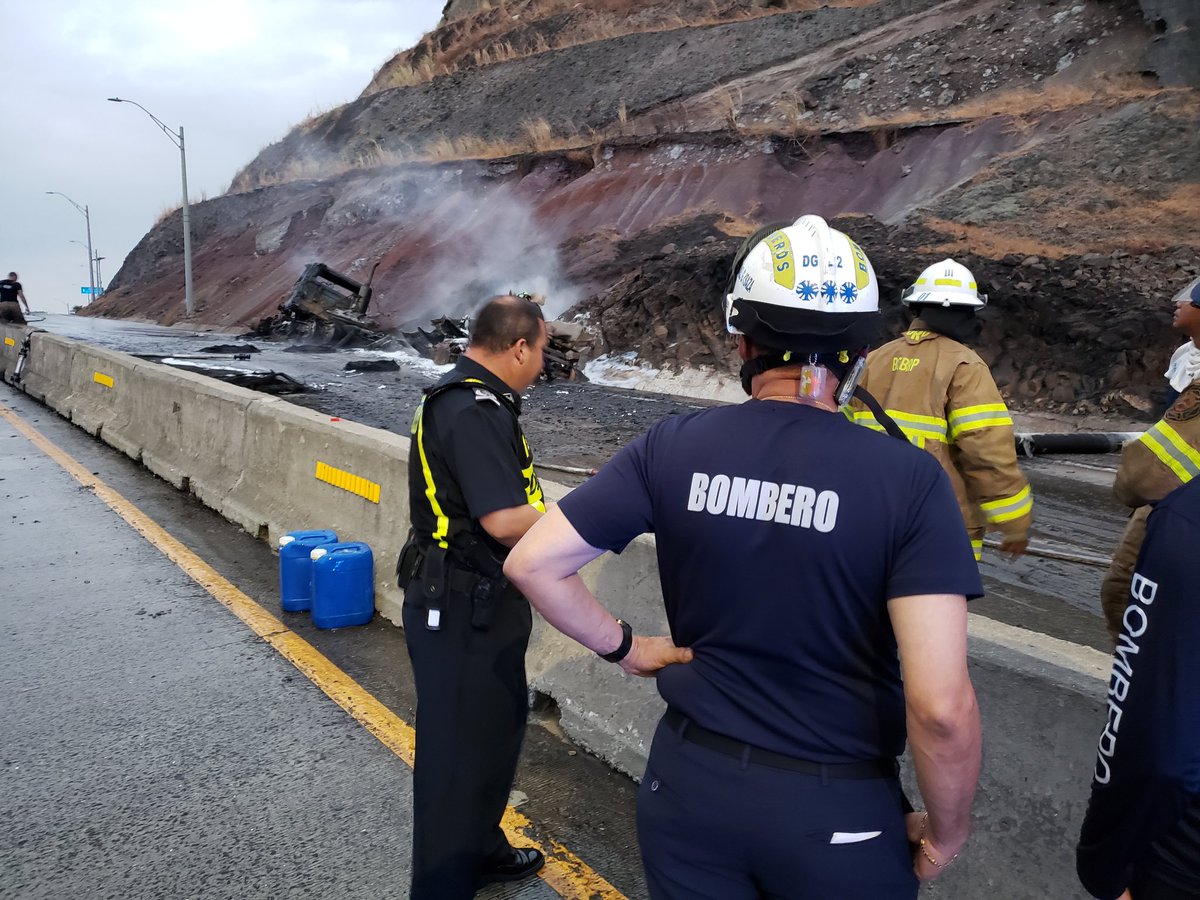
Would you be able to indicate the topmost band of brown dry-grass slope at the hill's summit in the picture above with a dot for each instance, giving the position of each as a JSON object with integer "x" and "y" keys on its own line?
{"x": 520, "y": 29}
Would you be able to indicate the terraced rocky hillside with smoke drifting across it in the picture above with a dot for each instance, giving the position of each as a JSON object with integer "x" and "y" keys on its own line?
{"x": 611, "y": 155}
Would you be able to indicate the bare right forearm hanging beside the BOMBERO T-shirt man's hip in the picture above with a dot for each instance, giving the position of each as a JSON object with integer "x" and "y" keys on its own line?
{"x": 946, "y": 752}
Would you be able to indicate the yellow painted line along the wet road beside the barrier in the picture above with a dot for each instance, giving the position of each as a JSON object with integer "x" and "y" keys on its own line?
{"x": 567, "y": 874}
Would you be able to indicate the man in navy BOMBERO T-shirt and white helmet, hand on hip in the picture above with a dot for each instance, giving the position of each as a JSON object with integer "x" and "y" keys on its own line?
{"x": 796, "y": 554}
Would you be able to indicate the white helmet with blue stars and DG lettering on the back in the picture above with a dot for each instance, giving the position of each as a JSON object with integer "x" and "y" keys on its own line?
{"x": 803, "y": 287}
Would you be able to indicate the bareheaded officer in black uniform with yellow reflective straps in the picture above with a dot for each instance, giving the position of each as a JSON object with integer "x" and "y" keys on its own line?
{"x": 473, "y": 494}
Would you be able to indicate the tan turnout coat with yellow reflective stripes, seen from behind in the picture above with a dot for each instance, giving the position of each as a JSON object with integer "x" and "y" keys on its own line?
{"x": 944, "y": 398}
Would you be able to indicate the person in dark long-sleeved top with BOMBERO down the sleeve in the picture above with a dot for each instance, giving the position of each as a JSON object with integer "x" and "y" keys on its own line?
{"x": 1142, "y": 835}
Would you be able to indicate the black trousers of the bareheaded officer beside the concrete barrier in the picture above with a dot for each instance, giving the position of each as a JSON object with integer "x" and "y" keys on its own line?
{"x": 472, "y": 700}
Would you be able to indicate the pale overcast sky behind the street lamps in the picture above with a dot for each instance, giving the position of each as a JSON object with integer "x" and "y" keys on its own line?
{"x": 237, "y": 75}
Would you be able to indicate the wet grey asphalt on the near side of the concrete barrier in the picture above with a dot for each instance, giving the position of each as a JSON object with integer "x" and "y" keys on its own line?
{"x": 157, "y": 747}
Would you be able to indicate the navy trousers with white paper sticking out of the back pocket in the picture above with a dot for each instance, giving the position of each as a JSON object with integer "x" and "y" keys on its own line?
{"x": 711, "y": 826}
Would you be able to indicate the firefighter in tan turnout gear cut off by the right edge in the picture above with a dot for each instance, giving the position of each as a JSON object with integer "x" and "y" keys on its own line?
{"x": 1167, "y": 457}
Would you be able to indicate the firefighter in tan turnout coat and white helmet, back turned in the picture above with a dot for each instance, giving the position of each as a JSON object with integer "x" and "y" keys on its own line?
{"x": 944, "y": 398}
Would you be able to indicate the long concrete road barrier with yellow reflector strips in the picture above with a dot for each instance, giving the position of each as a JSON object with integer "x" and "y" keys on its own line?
{"x": 274, "y": 467}
